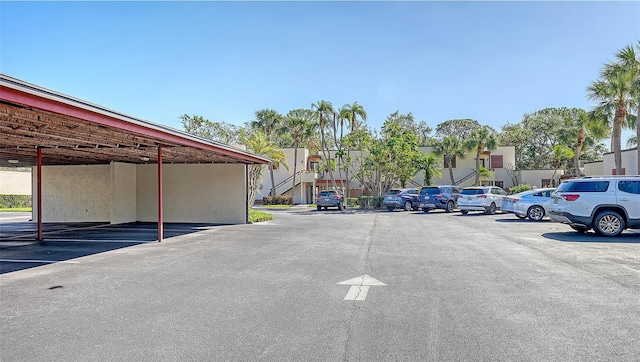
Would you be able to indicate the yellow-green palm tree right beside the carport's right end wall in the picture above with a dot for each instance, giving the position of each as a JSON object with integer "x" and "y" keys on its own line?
{"x": 258, "y": 143}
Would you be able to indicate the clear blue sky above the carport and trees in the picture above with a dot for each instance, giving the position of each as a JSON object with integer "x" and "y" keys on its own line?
{"x": 490, "y": 61}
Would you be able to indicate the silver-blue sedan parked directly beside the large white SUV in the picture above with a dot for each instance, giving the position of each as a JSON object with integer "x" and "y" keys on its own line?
{"x": 532, "y": 204}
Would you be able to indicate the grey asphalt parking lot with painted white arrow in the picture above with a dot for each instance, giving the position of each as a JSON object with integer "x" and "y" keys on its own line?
{"x": 332, "y": 286}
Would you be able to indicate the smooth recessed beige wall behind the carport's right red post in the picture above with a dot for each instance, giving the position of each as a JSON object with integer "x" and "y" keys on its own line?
{"x": 206, "y": 193}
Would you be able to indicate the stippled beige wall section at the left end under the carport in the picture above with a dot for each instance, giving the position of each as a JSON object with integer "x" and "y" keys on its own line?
{"x": 74, "y": 193}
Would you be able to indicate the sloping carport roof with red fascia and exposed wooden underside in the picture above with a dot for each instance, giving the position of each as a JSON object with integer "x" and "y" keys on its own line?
{"x": 71, "y": 131}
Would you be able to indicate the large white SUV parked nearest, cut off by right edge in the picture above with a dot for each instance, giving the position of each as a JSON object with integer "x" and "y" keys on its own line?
{"x": 608, "y": 204}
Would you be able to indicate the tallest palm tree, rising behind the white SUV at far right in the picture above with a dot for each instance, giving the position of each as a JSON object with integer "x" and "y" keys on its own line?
{"x": 615, "y": 93}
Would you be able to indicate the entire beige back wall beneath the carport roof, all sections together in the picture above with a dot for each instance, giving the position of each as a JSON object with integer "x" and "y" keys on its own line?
{"x": 121, "y": 193}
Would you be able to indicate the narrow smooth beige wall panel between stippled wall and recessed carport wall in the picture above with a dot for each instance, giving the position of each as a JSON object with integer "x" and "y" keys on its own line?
{"x": 123, "y": 193}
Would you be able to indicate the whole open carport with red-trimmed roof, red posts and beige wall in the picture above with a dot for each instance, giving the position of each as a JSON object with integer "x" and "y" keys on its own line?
{"x": 123, "y": 163}
